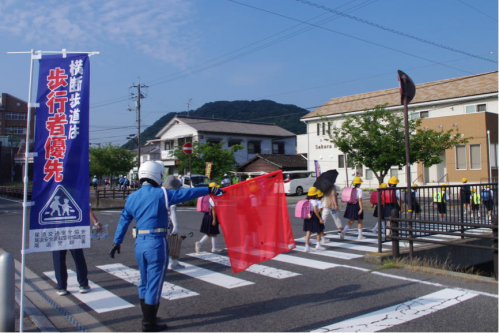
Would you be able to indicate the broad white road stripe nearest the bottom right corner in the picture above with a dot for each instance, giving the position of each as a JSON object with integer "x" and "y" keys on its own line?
{"x": 401, "y": 313}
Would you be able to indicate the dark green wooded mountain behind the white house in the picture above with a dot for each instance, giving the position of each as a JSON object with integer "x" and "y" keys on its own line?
{"x": 286, "y": 116}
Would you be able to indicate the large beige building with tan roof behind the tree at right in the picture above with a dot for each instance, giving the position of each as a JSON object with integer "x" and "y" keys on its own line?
{"x": 469, "y": 105}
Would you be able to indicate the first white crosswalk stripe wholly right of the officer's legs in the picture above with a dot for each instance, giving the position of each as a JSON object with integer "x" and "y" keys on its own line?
{"x": 215, "y": 278}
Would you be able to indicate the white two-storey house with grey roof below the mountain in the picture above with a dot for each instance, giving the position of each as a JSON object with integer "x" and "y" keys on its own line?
{"x": 256, "y": 138}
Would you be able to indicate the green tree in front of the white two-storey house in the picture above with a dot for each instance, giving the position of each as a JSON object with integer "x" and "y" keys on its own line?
{"x": 223, "y": 159}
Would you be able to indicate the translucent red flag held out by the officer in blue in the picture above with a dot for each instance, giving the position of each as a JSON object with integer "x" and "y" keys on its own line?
{"x": 255, "y": 222}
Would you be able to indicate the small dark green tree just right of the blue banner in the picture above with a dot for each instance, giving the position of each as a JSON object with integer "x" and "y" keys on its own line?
{"x": 110, "y": 160}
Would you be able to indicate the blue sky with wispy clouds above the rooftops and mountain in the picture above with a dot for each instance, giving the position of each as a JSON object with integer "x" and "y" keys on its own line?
{"x": 192, "y": 52}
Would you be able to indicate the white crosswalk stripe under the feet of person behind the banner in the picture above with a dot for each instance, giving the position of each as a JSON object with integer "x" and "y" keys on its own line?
{"x": 99, "y": 299}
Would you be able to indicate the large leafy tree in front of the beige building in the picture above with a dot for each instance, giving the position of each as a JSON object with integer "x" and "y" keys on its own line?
{"x": 376, "y": 139}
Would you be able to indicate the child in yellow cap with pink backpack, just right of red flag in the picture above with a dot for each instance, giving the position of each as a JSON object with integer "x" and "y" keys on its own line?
{"x": 315, "y": 222}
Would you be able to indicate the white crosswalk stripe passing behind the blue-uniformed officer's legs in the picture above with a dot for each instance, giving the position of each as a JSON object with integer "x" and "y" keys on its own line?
{"x": 170, "y": 291}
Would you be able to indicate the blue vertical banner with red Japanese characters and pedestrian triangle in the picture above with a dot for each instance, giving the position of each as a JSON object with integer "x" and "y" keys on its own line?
{"x": 60, "y": 216}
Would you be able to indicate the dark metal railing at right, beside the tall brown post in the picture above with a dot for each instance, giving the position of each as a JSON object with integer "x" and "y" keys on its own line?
{"x": 427, "y": 218}
